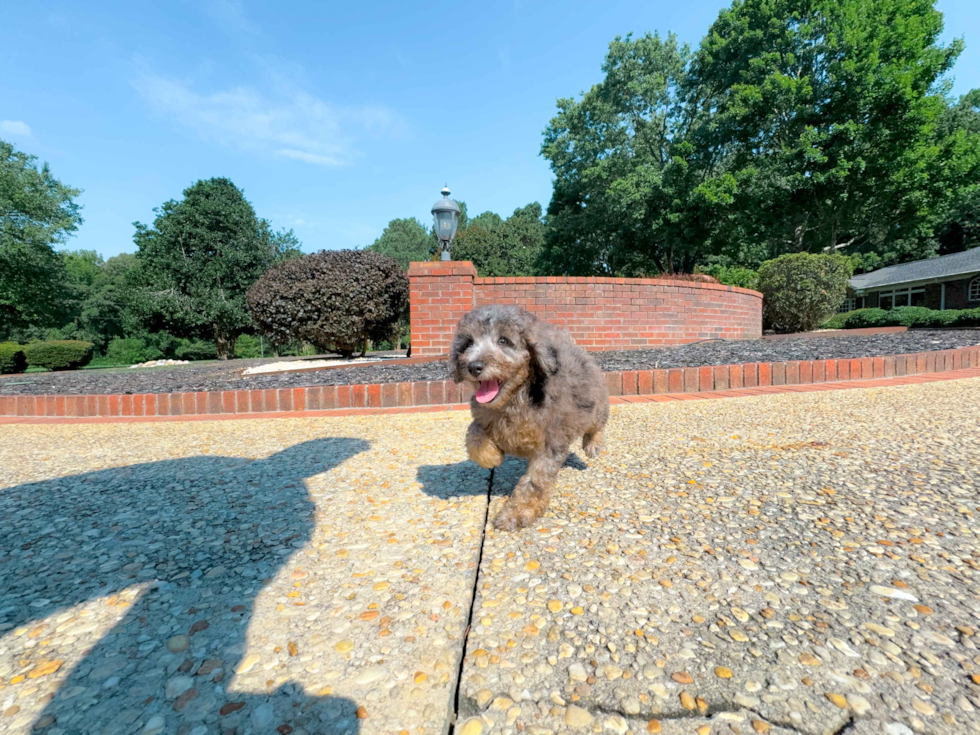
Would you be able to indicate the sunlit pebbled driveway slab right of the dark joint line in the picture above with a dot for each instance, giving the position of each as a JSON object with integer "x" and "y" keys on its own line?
{"x": 750, "y": 537}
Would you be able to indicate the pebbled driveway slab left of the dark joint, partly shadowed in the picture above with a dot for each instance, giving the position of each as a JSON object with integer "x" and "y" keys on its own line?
{"x": 333, "y": 531}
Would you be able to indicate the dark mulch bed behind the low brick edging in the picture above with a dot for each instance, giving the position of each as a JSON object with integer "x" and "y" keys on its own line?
{"x": 218, "y": 376}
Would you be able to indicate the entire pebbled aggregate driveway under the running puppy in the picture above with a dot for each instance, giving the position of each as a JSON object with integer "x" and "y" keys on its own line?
{"x": 800, "y": 563}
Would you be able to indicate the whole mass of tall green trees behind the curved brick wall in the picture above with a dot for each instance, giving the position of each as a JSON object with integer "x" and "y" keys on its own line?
{"x": 796, "y": 126}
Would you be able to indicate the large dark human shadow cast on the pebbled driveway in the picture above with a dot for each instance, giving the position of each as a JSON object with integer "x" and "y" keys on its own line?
{"x": 204, "y": 535}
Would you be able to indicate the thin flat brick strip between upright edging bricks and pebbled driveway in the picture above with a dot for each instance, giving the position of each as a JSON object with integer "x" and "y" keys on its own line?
{"x": 963, "y": 373}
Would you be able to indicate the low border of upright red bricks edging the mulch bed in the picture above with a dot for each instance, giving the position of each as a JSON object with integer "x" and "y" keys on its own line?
{"x": 446, "y": 393}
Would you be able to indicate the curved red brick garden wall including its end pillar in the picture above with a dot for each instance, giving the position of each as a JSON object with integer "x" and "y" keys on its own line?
{"x": 600, "y": 313}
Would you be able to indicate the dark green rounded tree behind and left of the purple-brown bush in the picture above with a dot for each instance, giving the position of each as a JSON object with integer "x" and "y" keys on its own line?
{"x": 200, "y": 257}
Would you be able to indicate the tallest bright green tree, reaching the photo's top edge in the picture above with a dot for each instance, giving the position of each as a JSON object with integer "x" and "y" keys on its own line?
{"x": 825, "y": 114}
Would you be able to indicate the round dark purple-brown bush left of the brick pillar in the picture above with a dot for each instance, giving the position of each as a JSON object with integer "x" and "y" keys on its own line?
{"x": 334, "y": 299}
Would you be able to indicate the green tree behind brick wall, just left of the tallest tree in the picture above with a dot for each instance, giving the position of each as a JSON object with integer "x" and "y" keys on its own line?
{"x": 629, "y": 194}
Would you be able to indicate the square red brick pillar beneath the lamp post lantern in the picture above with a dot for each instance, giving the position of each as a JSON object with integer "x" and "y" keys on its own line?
{"x": 441, "y": 292}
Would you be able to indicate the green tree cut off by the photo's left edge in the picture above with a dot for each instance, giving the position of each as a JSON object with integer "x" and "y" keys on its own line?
{"x": 37, "y": 212}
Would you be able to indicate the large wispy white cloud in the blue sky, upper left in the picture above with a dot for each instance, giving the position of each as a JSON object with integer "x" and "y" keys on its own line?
{"x": 287, "y": 122}
